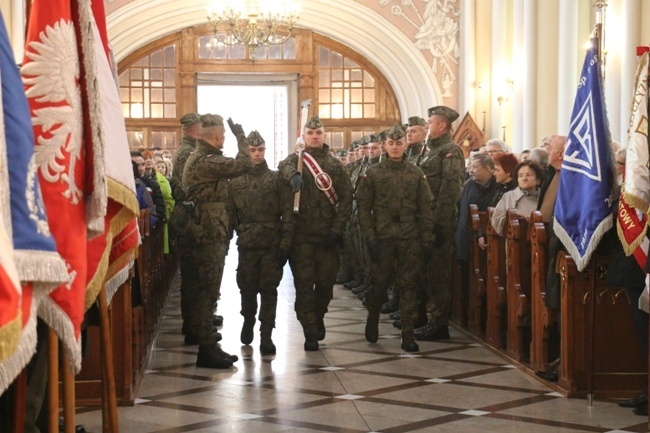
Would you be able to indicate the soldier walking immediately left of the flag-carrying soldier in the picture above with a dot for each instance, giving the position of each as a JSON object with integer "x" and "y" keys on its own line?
{"x": 259, "y": 209}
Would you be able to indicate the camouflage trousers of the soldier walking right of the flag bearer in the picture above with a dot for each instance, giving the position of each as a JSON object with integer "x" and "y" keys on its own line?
{"x": 399, "y": 260}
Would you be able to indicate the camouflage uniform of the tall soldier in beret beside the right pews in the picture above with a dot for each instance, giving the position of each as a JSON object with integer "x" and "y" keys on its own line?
{"x": 444, "y": 167}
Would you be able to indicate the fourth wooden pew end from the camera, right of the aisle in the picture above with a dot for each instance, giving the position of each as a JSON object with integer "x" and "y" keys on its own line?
{"x": 496, "y": 287}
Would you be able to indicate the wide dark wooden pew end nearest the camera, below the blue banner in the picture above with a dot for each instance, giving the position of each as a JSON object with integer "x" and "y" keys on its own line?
{"x": 599, "y": 351}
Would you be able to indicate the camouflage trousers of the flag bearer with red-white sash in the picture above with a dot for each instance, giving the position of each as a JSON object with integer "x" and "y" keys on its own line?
{"x": 314, "y": 268}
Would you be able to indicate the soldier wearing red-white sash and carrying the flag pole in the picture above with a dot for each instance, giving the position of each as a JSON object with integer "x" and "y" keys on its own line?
{"x": 318, "y": 230}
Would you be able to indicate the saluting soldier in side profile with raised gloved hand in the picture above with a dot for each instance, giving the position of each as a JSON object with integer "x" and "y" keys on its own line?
{"x": 205, "y": 181}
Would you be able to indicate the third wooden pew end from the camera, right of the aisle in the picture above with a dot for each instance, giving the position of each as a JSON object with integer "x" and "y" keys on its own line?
{"x": 518, "y": 286}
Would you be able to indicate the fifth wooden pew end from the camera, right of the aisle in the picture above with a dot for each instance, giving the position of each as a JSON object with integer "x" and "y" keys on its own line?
{"x": 477, "y": 297}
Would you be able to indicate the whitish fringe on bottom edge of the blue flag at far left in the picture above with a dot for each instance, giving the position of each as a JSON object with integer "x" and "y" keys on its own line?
{"x": 45, "y": 267}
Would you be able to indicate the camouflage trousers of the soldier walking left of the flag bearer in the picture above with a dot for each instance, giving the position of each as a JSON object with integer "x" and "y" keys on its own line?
{"x": 259, "y": 271}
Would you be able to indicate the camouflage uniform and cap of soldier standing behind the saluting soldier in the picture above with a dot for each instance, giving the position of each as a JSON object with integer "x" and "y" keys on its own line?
{"x": 178, "y": 221}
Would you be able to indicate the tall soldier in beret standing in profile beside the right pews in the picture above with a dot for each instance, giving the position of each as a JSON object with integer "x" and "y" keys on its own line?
{"x": 444, "y": 166}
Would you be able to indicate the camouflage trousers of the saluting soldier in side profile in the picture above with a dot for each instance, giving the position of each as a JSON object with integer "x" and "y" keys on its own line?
{"x": 205, "y": 285}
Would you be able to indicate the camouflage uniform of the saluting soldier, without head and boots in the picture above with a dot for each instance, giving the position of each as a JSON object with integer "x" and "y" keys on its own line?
{"x": 205, "y": 180}
